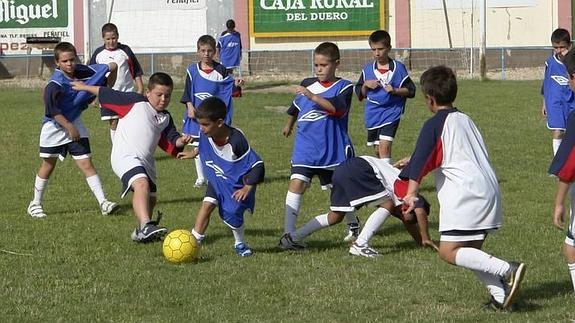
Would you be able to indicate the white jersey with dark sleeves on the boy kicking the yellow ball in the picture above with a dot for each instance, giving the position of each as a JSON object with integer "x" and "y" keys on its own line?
{"x": 140, "y": 130}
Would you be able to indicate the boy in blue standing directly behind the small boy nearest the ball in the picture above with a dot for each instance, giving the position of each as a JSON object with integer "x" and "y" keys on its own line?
{"x": 204, "y": 79}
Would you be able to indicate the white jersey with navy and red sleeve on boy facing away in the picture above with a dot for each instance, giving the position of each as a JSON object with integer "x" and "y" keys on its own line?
{"x": 450, "y": 145}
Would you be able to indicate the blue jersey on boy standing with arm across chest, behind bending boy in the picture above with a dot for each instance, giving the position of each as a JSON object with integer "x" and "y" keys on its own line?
{"x": 321, "y": 140}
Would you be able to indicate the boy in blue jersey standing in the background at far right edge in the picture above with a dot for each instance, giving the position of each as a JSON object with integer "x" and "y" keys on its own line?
{"x": 557, "y": 96}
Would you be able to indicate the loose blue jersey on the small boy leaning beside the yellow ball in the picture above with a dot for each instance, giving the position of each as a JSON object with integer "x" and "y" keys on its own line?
{"x": 226, "y": 176}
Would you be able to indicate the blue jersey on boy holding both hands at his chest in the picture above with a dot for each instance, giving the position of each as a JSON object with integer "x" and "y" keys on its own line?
{"x": 383, "y": 108}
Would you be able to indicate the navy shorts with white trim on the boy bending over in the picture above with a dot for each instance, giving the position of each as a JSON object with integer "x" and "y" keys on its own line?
{"x": 354, "y": 185}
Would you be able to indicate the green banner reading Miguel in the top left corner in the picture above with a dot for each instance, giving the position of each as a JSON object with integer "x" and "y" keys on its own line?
{"x": 33, "y": 13}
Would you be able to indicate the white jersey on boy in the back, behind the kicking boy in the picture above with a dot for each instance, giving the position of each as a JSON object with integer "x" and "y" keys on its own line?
{"x": 128, "y": 66}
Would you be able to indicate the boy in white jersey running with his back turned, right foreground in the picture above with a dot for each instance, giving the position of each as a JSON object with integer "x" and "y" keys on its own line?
{"x": 467, "y": 188}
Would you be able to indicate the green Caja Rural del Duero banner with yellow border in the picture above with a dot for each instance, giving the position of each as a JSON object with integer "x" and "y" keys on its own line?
{"x": 288, "y": 18}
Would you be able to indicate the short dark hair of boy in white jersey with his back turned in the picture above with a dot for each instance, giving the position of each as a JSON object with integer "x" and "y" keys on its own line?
{"x": 440, "y": 83}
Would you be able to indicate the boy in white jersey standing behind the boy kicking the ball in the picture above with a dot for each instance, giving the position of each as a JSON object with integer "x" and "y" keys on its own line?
{"x": 129, "y": 69}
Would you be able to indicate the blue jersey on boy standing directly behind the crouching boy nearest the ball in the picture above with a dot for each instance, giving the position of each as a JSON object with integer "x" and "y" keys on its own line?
{"x": 201, "y": 85}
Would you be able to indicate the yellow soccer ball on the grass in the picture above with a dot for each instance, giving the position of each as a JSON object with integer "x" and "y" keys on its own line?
{"x": 180, "y": 246}
